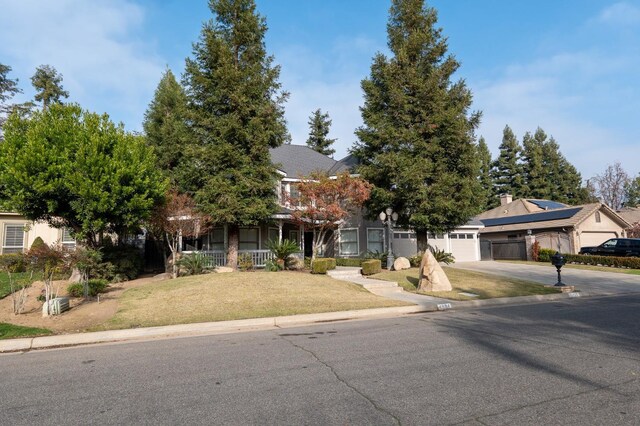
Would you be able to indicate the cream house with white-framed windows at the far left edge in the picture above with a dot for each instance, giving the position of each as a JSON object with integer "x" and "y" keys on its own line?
{"x": 17, "y": 233}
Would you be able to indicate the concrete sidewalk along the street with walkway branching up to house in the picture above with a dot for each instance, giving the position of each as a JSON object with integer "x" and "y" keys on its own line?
{"x": 391, "y": 290}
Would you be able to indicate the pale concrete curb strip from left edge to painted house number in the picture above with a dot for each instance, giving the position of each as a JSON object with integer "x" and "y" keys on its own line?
{"x": 200, "y": 329}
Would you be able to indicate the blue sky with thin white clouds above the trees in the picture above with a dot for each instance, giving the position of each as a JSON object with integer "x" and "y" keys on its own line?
{"x": 570, "y": 67}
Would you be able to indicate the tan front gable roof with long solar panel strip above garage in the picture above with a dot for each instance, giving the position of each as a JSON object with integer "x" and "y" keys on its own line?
{"x": 568, "y": 217}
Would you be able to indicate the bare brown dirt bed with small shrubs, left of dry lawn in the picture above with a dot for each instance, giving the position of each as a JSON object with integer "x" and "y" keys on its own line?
{"x": 84, "y": 314}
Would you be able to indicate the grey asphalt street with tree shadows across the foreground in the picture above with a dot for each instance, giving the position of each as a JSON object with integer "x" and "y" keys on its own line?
{"x": 575, "y": 361}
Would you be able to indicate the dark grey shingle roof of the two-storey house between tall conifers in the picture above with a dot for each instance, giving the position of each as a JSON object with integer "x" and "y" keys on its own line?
{"x": 300, "y": 160}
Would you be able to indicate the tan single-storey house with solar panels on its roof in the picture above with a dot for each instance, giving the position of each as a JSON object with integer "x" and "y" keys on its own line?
{"x": 554, "y": 225}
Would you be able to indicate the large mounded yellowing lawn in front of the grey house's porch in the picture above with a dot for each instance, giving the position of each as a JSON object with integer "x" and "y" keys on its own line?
{"x": 240, "y": 295}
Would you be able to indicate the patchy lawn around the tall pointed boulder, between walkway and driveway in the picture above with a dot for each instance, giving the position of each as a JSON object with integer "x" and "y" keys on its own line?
{"x": 486, "y": 286}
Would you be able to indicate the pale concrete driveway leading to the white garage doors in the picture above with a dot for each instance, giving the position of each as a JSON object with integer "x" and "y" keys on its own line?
{"x": 594, "y": 282}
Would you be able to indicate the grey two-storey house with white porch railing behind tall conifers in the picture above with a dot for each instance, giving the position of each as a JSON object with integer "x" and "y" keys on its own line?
{"x": 357, "y": 237}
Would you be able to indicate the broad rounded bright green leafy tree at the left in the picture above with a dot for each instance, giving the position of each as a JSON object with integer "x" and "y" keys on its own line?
{"x": 76, "y": 169}
